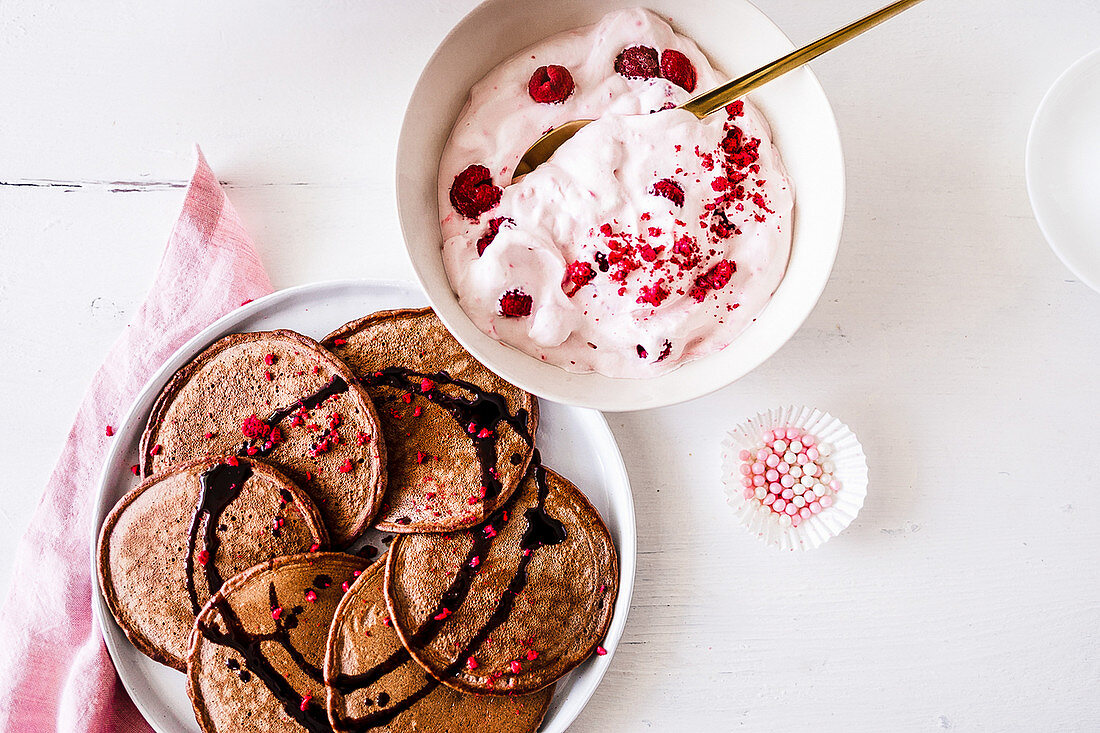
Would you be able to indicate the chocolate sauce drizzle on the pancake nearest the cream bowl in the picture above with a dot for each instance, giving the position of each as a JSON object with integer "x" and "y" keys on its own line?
{"x": 483, "y": 411}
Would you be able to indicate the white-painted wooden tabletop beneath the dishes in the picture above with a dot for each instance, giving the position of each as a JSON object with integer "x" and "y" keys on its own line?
{"x": 951, "y": 340}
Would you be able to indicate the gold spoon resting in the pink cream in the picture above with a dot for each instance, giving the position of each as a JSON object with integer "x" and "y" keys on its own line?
{"x": 718, "y": 99}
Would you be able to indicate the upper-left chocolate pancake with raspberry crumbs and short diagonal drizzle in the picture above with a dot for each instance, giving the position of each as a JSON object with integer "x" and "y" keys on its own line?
{"x": 280, "y": 397}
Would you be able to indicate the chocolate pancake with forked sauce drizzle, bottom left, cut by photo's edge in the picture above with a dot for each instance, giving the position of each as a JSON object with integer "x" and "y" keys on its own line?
{"x": 258, "y": 649}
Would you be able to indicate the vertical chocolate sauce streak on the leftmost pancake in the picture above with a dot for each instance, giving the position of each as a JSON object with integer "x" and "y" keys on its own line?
{"x": 222, "y": 485}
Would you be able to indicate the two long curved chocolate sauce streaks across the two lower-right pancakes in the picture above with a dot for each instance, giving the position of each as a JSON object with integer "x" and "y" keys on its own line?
{"x": 542, "y": 531}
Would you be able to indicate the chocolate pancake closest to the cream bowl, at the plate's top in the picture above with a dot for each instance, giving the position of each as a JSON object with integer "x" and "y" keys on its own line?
{"x": 458, "y": 437}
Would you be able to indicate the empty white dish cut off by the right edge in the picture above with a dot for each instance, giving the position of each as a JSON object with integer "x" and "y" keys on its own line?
{"x": 1063, "y": 169}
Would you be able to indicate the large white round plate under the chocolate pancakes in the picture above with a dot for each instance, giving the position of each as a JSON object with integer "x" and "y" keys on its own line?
{"x": 575, "y": 442}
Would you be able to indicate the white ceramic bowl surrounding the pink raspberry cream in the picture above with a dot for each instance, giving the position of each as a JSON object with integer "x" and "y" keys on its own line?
{"x": 738, "y": 38}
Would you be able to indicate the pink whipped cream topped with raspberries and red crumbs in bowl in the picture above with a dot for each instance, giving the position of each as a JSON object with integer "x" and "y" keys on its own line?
{"x": 648, "y": 240}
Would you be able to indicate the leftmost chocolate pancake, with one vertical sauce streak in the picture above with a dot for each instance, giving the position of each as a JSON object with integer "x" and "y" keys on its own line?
{"x": 167, "y": 545}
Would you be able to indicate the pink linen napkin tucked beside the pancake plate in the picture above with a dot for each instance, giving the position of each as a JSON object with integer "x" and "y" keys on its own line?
{"x": 56, "y": 674}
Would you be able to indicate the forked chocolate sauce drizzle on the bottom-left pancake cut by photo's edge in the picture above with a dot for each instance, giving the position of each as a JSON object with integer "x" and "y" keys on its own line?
{"x": 315, "y": 717}
